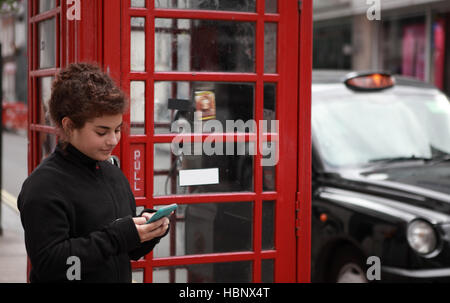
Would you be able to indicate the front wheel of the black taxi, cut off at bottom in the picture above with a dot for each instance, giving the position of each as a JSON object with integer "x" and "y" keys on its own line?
{"x": 347, "y": 267}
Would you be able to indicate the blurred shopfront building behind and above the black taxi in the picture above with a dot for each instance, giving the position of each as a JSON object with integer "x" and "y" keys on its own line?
{"x": 411, "y": 37}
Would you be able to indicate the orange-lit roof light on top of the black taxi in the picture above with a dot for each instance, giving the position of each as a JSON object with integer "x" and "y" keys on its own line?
{"x": 370, "y": 81}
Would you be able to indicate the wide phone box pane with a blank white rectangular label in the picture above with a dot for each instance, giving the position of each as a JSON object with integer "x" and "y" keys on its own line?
{"x": 231, "y": 173}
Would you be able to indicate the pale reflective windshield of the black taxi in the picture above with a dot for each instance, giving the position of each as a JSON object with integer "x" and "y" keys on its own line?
{"x": 356, "y": 129}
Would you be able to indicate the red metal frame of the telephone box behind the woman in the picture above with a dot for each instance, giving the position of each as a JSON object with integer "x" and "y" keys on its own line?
{"x": 95, "y": 39}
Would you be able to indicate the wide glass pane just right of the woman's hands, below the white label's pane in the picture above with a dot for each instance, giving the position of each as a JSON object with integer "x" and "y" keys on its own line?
{"x": 208, "y": 228}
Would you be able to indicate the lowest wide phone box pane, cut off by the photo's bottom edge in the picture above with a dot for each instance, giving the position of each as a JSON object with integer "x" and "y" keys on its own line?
{"x": 230, "y": 272}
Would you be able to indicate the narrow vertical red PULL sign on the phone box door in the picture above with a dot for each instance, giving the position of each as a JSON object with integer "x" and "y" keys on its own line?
{"x": 138, "y": 170}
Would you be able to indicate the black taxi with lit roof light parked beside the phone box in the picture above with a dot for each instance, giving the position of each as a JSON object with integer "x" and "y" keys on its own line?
{"x": 381, "y": 179}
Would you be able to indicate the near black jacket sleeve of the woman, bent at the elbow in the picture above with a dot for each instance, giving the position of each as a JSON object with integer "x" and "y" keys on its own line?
{"x": 49, "y": 244}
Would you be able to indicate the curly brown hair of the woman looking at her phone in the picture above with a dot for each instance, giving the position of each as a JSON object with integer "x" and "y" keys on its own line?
{"x": 81, "y": 92}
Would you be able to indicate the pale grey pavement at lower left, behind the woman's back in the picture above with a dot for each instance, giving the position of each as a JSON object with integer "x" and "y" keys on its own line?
{"x": 13, "y": 256}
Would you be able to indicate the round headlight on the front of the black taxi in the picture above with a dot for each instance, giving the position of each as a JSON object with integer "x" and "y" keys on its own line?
{"x": 421, "y": 237}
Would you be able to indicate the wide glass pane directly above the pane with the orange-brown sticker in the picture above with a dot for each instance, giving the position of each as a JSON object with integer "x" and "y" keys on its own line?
{"x": 204, "y": 45}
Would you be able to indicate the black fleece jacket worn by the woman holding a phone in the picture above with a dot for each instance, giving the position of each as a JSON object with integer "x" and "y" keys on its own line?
{"x": 72, "y": 205}
